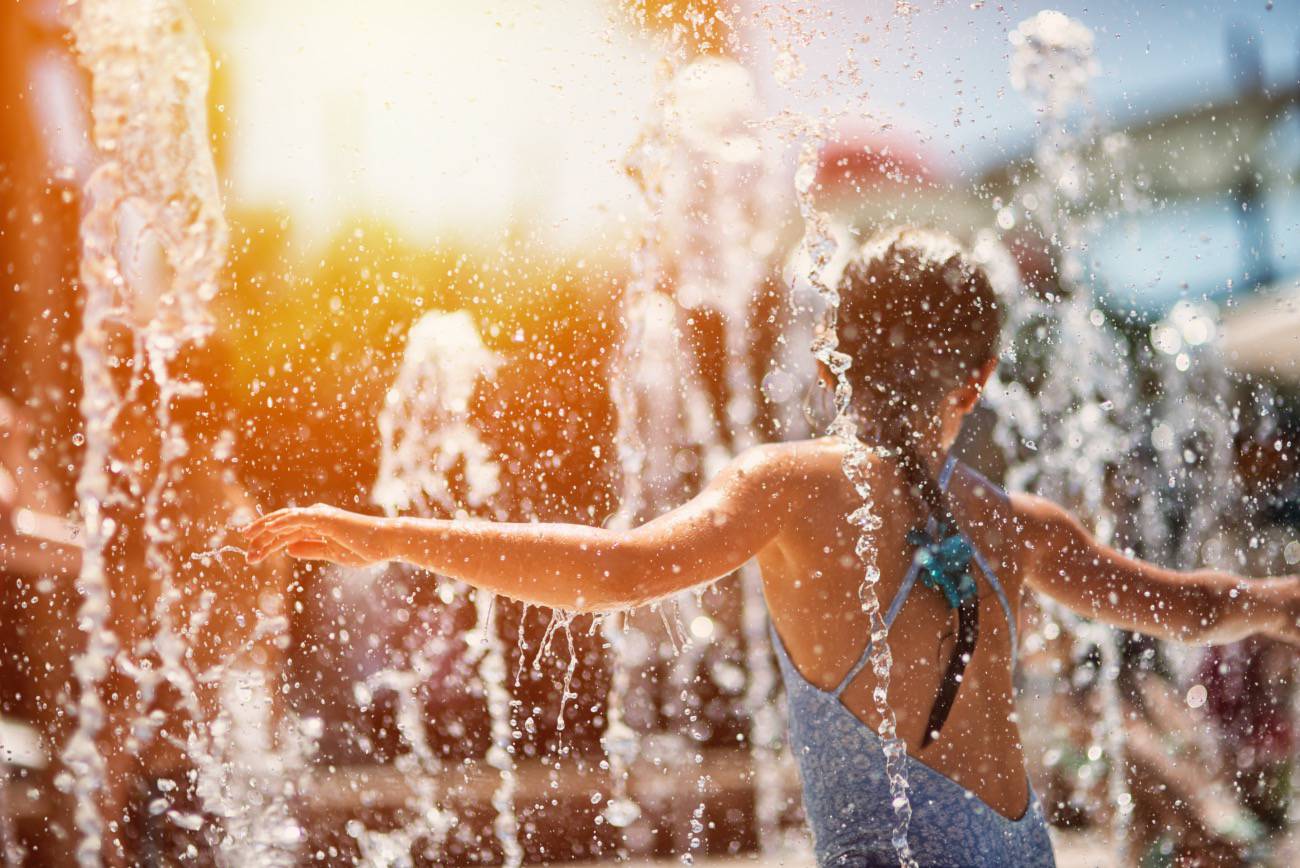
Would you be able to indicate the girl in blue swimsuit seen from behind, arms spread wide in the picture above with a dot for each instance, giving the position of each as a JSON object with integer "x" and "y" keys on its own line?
{"x": 955, "y": 553}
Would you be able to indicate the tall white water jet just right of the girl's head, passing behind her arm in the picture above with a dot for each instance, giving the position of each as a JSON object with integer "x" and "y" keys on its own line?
{"x": 1078, "y": 428}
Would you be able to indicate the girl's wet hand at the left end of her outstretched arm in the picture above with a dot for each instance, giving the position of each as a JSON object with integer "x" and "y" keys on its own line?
{"x": 317, "y": 533}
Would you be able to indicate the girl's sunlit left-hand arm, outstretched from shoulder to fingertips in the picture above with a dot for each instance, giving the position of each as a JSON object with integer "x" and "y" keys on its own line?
{"x": 564, "y": 566}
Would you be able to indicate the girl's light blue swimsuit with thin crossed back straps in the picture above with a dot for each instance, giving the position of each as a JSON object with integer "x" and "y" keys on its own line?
{"x": 847, "y": 795}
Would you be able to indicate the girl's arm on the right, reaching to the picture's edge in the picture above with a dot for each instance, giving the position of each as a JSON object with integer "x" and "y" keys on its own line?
{"x": 1068, "y": 565}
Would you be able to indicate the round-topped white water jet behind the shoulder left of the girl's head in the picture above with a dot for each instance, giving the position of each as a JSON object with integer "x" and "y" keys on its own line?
{"x": 718, "y": 219}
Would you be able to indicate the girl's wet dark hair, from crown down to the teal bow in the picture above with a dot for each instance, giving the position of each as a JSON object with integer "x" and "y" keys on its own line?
{"x": 918, "y": 319}
